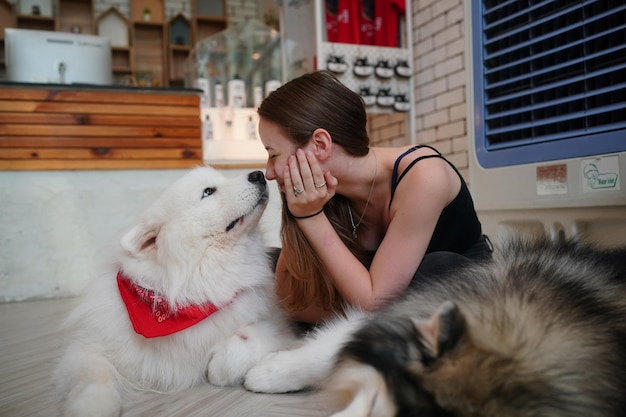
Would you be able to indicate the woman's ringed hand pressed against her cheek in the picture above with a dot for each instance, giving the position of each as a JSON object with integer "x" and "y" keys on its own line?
{"x": 307, "y": 187}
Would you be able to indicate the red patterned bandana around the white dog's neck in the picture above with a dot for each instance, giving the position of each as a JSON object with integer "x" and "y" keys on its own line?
{"x": 151, "y": 314}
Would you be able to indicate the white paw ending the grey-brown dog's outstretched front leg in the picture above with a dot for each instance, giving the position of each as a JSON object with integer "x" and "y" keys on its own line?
{"x": 277, "y": 372}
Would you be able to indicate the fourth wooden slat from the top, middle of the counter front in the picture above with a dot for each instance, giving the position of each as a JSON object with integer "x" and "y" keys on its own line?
{"x": 101, "y": 131}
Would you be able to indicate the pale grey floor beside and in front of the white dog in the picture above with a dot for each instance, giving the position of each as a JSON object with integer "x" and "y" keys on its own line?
{"x": 30, "y": 343}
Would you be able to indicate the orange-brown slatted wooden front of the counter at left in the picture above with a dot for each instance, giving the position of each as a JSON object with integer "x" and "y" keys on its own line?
{"x": 56, "y": 128}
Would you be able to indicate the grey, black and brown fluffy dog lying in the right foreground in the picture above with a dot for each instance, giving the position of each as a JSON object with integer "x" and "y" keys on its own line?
{"x": 538, "y": 331}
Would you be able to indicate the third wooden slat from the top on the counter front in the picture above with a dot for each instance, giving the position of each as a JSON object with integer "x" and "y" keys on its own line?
{"x": 97, "y": 119}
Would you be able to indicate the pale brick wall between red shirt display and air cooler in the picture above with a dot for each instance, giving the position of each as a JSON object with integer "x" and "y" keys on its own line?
{"x": 439, "y": 67}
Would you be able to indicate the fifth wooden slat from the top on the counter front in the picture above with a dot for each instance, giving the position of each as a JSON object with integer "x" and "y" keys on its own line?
{"x": 95, "y": 142}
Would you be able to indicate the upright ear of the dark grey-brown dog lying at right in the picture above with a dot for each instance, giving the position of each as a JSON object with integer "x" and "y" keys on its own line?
{"x": 443, "y": 330}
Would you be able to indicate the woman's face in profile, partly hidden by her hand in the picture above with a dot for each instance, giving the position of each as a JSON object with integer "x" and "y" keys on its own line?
{"x": 279, "y": 147}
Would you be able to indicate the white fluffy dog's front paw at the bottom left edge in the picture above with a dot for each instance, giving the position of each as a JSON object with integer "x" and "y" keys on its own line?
{"x": 93, "y": 400}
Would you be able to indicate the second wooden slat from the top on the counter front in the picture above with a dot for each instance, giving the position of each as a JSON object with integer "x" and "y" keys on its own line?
{"x": 49, "y": 107}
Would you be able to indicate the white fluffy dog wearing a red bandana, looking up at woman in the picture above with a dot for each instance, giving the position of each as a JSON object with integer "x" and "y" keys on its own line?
{"x": 189, "y": 299}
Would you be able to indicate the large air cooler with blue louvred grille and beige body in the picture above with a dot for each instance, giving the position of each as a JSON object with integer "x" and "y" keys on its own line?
{"x": 546, "y": 92}
